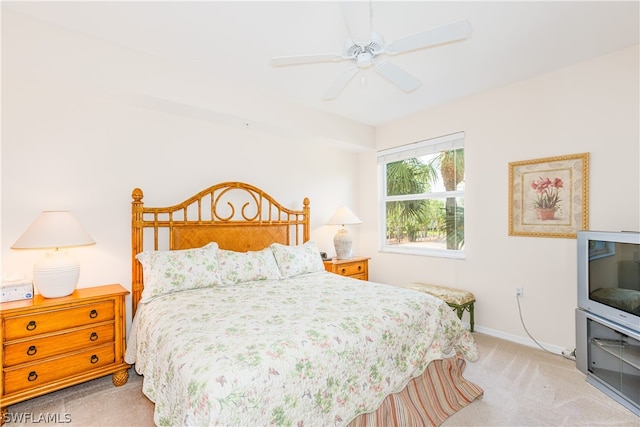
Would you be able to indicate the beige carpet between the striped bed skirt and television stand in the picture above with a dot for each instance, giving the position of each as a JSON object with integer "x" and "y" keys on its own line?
{"x": 525, "y": 386}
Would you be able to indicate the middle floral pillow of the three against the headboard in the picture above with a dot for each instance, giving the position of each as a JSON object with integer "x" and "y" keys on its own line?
{"x": 241, "y": 267}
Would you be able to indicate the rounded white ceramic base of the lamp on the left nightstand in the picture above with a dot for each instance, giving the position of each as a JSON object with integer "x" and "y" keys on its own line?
{"x": 56, "y": 275}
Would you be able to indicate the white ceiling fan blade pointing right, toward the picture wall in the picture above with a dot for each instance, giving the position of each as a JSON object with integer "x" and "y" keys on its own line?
{"x": 447, "y": 33}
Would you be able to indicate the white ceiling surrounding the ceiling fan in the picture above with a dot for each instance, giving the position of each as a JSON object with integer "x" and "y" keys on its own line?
{"x": 234, "y": 41}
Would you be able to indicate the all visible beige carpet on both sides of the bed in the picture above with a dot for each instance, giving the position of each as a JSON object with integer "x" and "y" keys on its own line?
{"x": 523, "y": 386}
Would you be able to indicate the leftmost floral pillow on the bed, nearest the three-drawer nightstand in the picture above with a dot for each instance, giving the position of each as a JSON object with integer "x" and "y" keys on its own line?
{"x": 179, "y": 270}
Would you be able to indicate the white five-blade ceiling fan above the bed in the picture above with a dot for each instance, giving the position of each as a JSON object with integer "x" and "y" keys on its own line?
{"x": 365, "y": 48}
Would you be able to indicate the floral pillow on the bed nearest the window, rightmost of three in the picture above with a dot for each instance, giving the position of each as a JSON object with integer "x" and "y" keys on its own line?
{"x": 296, "y": 260}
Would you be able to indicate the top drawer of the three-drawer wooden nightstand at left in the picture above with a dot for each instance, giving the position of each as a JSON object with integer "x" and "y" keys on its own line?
{"x": 30, "y": 325}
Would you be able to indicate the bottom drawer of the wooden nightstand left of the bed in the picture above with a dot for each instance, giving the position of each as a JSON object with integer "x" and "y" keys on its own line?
{"x": 36, "y": 374}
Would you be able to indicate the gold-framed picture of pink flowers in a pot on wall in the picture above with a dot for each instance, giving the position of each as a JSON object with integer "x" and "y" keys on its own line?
{"x": 549, "y": 197}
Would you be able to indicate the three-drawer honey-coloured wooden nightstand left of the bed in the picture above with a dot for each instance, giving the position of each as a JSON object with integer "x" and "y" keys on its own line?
{"x": 52, "y": 343}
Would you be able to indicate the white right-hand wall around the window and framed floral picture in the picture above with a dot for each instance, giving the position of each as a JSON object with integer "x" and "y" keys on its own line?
{"x": 590, "y": 107}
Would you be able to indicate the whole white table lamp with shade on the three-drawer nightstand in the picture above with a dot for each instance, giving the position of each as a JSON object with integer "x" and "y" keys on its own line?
{"x": 56, "y": 275}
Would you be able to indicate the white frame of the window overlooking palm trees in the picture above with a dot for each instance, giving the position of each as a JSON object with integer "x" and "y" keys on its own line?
{"x": 403, "y": 152}
